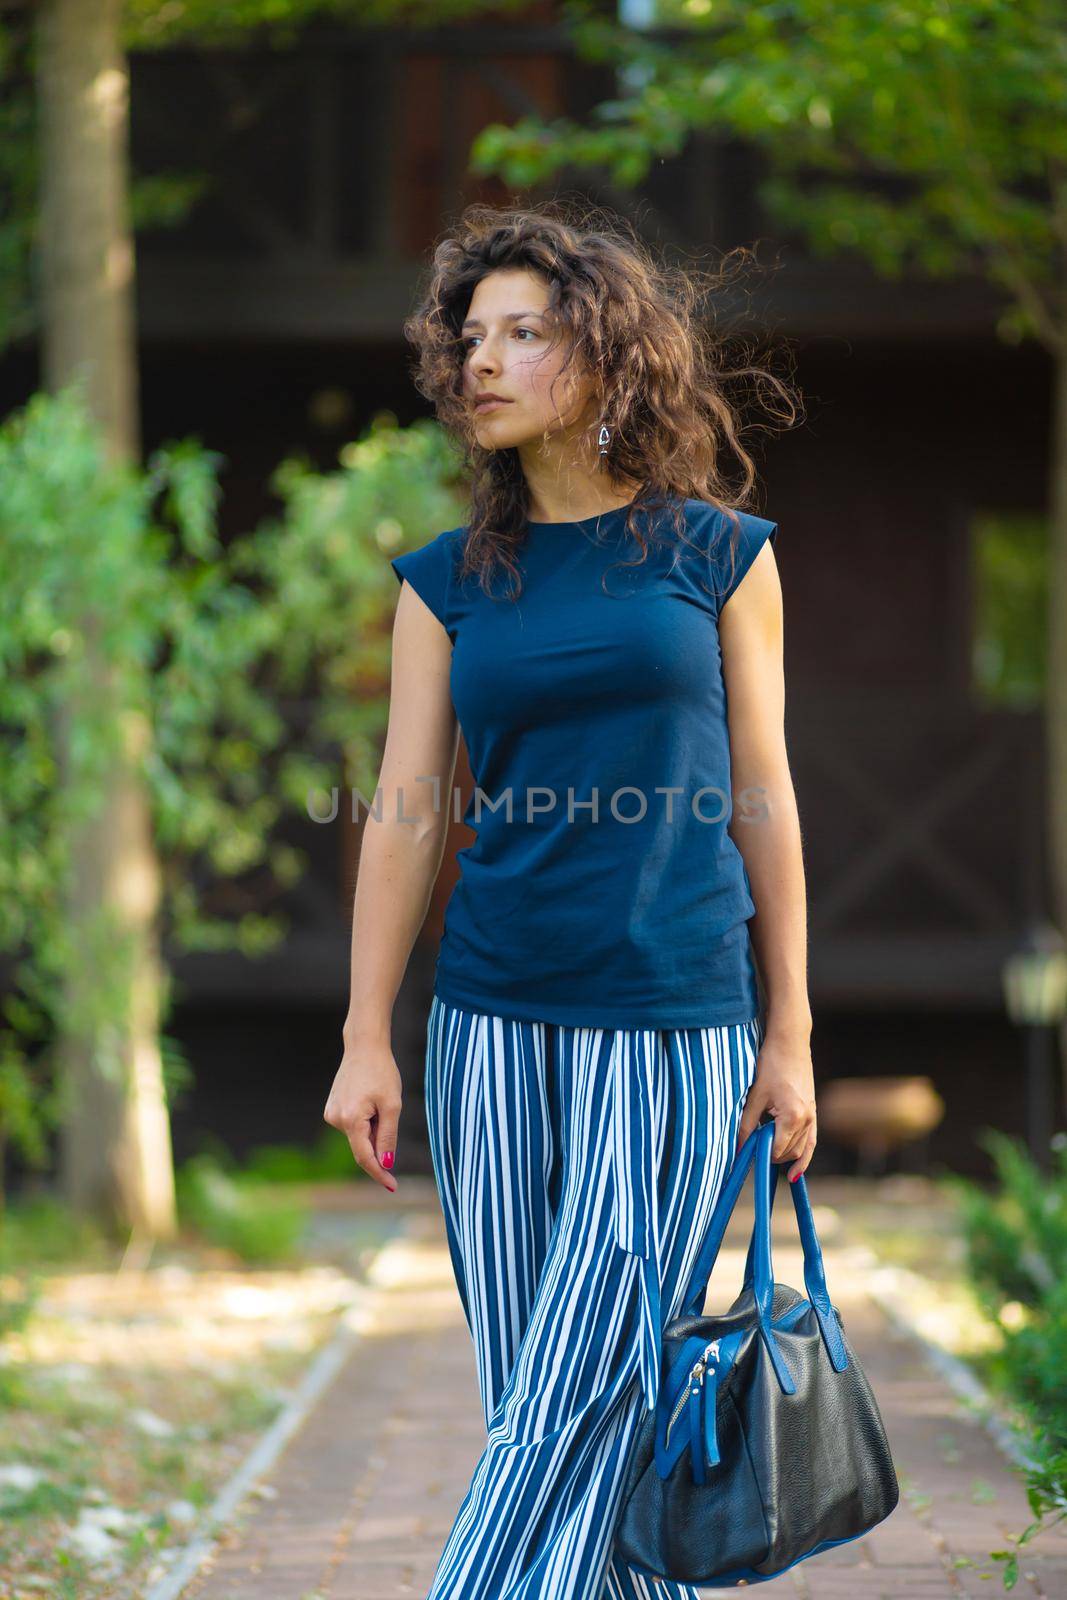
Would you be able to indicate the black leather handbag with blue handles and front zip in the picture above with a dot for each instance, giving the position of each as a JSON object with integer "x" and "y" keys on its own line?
{"x": 767, "y": 1444}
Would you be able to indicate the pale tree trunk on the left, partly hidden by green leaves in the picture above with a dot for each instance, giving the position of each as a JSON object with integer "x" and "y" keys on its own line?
{"x": 116, "y": 1151}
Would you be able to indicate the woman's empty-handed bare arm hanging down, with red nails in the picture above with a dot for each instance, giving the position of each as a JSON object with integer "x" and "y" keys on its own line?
{"x": 401, "y": 858}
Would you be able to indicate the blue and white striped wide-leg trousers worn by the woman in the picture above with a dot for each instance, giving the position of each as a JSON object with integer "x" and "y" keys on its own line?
{"x": 578, "y": 1170}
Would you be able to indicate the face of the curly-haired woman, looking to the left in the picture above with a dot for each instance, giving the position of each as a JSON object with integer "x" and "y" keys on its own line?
{"x": 511, "y": 353}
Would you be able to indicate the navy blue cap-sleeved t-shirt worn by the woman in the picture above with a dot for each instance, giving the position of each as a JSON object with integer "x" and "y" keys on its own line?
{"x": 613, "y": 895}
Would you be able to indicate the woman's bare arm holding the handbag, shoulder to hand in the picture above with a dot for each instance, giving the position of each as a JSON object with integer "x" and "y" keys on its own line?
{"x": 765, "y": 828}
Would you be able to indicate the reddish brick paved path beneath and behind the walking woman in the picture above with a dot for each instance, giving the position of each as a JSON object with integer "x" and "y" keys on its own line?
{"x": 369, "y": 1489}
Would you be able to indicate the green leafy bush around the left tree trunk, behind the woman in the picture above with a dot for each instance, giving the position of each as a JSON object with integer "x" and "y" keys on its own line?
{"x": 263, "y": 670}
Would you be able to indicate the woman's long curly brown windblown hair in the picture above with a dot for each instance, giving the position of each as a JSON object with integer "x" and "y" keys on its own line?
{"x": 658, "y": 369}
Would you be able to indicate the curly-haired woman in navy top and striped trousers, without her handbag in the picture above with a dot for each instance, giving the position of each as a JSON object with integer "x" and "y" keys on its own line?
{"x": 596, "y": 1046}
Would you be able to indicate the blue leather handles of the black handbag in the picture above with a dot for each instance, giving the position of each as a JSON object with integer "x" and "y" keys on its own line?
{"x": 757, "y": 1150}
